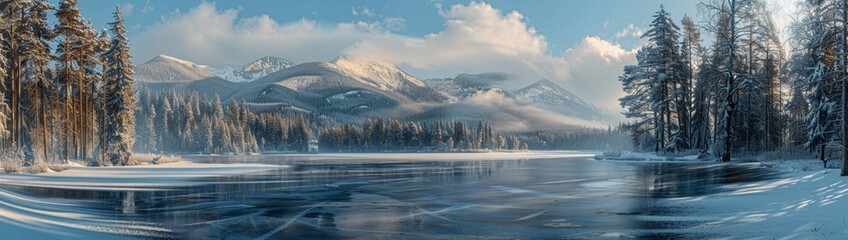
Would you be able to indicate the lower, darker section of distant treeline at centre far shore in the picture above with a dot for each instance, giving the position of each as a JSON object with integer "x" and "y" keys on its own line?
{"x": 394, "y": 135}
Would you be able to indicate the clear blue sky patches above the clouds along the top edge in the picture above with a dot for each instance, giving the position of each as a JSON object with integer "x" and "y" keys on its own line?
{"x": 564, "y": 23}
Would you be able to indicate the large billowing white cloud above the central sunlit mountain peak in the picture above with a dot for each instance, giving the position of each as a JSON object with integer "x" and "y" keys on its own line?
{"x": 477, "y": 38}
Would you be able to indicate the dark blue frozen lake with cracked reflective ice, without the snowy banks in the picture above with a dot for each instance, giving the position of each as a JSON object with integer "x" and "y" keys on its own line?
{"x": 327, "y": 196}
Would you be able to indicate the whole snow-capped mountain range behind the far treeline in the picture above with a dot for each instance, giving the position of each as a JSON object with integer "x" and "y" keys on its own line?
{"x": 349, "y": 89}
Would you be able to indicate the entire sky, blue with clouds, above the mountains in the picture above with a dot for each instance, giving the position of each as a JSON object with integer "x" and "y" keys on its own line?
{"x": 582, "y": 45}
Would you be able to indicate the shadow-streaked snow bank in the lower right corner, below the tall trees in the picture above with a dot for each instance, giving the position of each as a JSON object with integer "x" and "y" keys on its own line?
{"x": 809, "y": 202}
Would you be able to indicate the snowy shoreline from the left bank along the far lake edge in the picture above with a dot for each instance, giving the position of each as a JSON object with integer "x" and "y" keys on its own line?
{"x": 152, "y": 177}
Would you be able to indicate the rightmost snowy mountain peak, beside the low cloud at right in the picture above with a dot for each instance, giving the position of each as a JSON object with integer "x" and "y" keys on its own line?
{"x": 549, "y": 95}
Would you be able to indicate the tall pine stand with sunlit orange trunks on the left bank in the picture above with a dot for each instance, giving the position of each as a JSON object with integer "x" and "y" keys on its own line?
{"x": 67, "y": 90}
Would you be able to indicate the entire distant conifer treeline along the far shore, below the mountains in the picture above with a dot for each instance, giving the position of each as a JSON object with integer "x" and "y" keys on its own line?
{"x": 188, "y": 122}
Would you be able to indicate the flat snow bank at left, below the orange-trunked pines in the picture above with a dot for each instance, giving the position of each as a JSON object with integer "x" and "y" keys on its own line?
{"x": 132, "y": 178}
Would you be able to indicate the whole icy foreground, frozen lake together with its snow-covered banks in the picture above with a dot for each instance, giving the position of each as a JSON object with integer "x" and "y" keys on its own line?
{"x": 414, "y": 196}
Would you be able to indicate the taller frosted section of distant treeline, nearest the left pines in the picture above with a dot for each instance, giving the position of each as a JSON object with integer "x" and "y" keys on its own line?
{"x": 191, "y": 123}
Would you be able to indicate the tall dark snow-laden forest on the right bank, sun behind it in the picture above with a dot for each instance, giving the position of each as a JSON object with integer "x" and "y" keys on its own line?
{"x": 741, "y": 94}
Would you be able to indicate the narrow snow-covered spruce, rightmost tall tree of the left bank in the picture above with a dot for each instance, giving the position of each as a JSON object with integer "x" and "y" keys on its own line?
{"x": 121, "y": 99}
